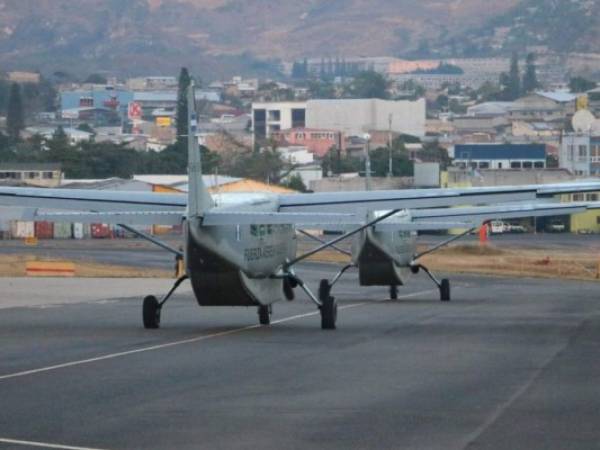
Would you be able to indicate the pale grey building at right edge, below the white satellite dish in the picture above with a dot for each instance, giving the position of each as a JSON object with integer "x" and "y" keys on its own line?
{"x": 580, "y": 154}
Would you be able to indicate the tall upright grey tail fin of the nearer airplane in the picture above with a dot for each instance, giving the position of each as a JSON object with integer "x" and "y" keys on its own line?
{"x": 199, "y": 199}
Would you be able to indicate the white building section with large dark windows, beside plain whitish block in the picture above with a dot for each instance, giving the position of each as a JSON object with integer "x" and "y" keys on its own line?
{"x": 272, "y": 117}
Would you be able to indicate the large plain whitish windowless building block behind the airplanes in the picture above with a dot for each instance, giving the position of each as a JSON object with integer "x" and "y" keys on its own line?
{"x": 355, "y": 117}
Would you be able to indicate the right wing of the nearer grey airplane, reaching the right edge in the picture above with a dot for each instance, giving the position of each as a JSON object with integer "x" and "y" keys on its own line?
{"x": 426, "y": 198}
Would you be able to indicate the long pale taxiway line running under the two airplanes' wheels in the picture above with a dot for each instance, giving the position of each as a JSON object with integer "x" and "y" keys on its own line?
{"x": 186, "y": 341}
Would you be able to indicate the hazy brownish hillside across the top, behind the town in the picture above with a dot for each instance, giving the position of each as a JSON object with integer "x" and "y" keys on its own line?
{"x": 221, "y": 37}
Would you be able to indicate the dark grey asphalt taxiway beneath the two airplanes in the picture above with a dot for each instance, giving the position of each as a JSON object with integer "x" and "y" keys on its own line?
{"x": 508, "y": 364}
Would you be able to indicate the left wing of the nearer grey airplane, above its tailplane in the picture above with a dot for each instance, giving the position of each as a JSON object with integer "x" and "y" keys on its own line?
{"x": 91, "y": 200}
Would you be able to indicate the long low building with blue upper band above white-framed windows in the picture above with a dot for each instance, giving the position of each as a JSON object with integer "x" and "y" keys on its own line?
{"x": 500, "y": 156}
